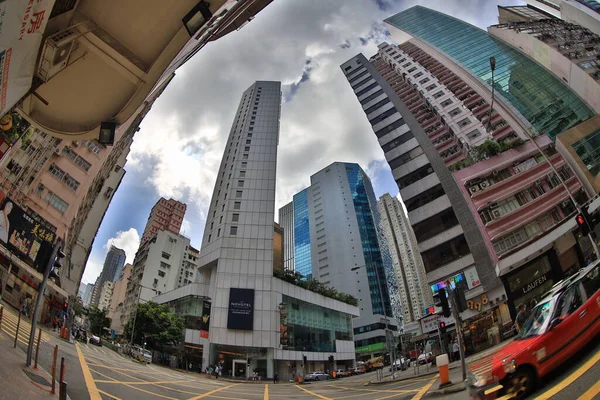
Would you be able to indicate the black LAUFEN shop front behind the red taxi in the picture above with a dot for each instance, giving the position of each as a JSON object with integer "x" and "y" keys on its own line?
{"x": 527, "y": 284}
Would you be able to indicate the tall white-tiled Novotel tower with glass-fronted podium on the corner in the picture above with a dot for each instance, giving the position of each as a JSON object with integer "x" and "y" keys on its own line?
{"x": 275, "y": 322}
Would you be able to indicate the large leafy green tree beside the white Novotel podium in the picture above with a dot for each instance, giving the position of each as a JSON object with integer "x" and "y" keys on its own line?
{"x": 156, "y": 325}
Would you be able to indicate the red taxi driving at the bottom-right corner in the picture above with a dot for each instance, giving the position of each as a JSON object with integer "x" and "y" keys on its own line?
{"x": 561, "y": 324}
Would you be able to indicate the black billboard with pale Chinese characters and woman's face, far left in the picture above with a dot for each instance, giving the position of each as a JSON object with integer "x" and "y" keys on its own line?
{"x": 26, "y": 238}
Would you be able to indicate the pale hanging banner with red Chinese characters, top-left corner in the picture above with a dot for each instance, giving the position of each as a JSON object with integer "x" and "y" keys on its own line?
{"x": 22, "y": 24}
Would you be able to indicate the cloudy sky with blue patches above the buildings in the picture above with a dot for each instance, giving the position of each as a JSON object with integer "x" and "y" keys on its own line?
{"x": 300, "y": 43}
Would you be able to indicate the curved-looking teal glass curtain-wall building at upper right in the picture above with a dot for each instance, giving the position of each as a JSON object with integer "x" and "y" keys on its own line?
{"x": 540, "y": 97}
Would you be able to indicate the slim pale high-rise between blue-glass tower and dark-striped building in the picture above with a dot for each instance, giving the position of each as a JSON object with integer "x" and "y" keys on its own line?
{"x": 413, "y": 290}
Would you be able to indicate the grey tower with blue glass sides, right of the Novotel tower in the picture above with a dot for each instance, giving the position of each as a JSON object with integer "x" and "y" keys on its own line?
{"x": 338, "y": 241}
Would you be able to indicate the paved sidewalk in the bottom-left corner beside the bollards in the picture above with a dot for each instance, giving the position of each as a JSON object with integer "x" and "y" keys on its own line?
{"x": 19, "y": 381}
